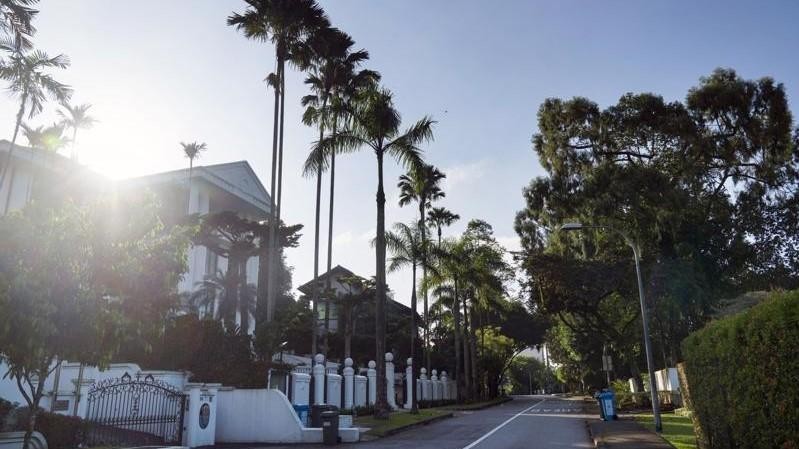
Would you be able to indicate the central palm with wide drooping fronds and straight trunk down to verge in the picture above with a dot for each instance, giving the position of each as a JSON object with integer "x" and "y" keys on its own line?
{"x": 375, "y": 124}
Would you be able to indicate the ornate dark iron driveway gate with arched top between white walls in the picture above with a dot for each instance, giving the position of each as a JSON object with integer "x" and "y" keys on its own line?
{"x": 134, "y": 411}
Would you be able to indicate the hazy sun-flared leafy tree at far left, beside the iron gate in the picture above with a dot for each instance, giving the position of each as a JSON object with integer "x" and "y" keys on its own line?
{"x": 79, "y": 282}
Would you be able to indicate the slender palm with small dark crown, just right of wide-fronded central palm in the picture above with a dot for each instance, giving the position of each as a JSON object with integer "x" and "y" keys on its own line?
{"x": 421, "y": 185}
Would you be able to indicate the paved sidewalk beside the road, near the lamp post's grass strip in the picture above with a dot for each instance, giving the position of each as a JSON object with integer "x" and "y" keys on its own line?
{"x": 624, "y": 433}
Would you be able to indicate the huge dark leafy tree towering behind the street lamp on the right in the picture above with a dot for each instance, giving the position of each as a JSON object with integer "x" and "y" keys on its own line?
{"x": 696, "y": 183}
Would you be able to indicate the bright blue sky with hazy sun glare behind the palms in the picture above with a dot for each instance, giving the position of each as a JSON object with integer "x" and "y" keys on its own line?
{"x": 161, "y": 72}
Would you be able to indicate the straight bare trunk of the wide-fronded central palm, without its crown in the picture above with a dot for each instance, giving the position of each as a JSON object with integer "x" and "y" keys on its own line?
{"x": 381, "y": 405}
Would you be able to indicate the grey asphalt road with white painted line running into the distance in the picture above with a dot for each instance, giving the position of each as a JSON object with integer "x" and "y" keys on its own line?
{"x": 527, "y": 422}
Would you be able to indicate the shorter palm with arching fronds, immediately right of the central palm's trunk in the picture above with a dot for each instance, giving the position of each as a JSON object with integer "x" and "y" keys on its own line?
{"x": 407, "y": 246}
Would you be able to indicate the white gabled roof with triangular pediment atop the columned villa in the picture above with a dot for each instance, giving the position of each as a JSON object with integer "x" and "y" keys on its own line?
{"x": 238, "y": 178}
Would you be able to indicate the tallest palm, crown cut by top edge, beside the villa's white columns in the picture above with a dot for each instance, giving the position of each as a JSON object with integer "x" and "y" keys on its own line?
{"x": 284, "y": 23}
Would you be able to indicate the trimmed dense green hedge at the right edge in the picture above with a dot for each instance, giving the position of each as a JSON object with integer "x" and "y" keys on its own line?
{"x": 743, "y": 372}
